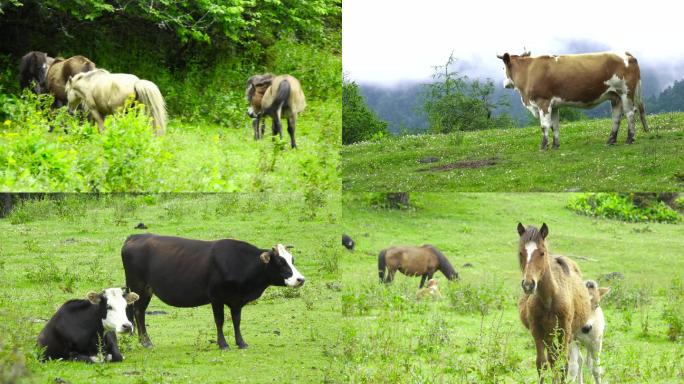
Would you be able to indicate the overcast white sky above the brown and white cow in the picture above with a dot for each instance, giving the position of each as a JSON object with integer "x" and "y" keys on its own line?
{"x": 387, "y": 41}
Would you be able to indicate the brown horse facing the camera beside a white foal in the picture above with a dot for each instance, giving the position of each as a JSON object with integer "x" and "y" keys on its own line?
{"x": 556, "y": 302}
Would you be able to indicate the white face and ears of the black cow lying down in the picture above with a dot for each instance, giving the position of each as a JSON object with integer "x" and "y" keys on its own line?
{"x": 115, "y": 302}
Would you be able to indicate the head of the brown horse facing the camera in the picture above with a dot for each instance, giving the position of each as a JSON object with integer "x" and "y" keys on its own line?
{"x": 533, "y": 255}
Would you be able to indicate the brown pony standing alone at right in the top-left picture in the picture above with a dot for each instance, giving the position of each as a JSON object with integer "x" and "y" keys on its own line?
{"x": 275, "y": 96}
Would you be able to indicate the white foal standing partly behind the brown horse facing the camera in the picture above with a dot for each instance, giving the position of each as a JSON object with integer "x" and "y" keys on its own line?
{"x": 591, "y": 337}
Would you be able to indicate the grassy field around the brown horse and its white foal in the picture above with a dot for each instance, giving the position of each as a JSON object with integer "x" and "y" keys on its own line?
{"x": 474, "y": 335}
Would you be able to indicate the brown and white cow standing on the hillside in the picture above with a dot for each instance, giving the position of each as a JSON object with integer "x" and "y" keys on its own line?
{"x": 546, "y": 83}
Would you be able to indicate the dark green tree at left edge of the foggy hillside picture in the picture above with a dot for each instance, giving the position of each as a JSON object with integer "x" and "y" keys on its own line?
{"x": 359, "y": 123}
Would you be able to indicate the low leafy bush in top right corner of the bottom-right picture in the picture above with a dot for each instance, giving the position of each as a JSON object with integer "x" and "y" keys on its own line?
{"x": 621, "y": 207}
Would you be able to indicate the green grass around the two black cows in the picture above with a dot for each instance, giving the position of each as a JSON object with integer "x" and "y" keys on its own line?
{"x": 54, "y": 250}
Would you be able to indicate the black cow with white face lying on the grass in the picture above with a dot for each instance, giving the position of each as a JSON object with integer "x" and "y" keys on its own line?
{"x": 81, "y": 329}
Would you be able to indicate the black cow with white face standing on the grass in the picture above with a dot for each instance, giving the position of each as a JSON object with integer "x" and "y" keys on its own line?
{"x": 189, "y": 273}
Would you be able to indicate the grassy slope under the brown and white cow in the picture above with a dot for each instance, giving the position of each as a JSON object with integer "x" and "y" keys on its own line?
{"x": 583, "y": 163}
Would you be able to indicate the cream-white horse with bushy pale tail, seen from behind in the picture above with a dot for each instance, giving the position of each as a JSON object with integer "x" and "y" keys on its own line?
{"x": 102, "y": 93}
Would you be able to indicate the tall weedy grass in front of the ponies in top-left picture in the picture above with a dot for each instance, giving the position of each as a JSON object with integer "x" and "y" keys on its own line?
{"x": 190, "y": 157}
